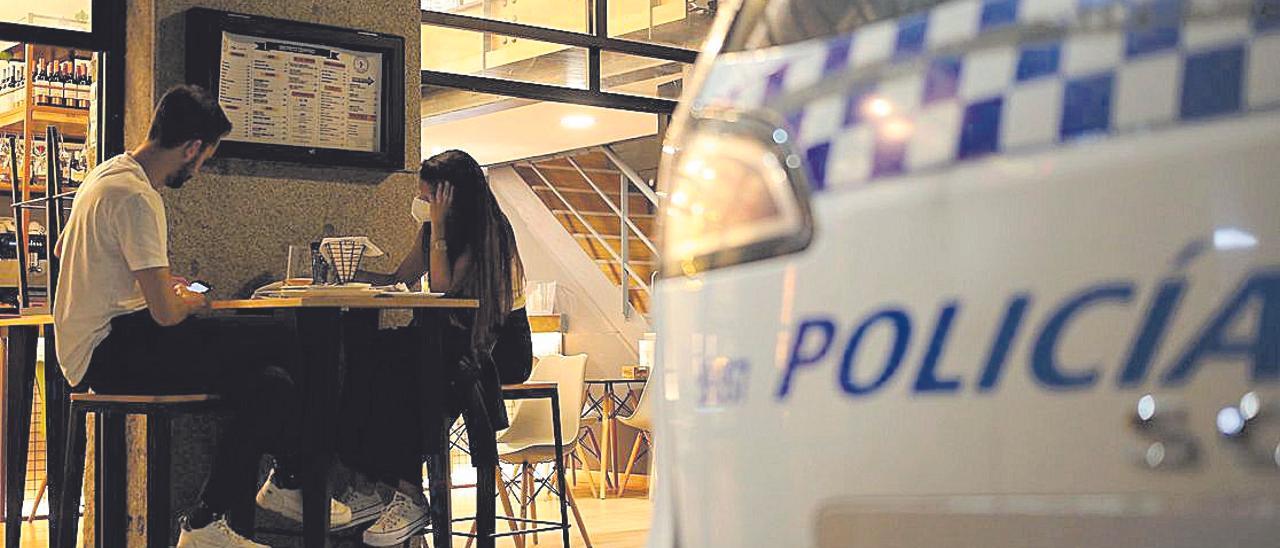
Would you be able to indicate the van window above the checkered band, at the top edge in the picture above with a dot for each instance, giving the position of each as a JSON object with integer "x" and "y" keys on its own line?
{"x": 766, "y": 24}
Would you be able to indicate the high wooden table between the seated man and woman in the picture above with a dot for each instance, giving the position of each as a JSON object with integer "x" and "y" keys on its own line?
{"x": 321, "y": 323}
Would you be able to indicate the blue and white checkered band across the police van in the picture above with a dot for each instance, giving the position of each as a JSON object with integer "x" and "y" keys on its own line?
{"x": 1162, "y": 72}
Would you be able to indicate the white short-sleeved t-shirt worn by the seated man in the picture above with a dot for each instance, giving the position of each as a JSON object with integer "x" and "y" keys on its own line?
{"x": 117, "y": 227}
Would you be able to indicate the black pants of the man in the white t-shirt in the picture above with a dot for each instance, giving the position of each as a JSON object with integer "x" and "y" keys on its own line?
{"x": 241, "y": 359}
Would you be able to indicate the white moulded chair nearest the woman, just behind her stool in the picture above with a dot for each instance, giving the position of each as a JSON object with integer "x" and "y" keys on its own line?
{"x": 532, "y": 440}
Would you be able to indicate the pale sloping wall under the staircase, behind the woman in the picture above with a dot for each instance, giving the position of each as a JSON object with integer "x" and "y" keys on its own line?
{"x": 592, "y": 305}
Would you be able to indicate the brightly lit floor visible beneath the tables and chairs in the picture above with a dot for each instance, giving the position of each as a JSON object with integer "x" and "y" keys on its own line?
{"x": 614, "y": 523}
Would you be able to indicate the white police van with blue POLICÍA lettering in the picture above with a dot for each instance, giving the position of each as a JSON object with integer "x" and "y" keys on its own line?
{"x": 977, "y": 273}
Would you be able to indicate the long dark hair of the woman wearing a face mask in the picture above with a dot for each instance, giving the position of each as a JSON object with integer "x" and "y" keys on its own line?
{"x": 477, "y": 225}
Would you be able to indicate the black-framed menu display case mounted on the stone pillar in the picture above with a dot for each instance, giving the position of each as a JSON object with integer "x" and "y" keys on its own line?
{"x": 300, "y": 92}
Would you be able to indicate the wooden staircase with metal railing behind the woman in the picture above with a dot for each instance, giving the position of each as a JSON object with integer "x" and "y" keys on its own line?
{"x": 609, "y": 209}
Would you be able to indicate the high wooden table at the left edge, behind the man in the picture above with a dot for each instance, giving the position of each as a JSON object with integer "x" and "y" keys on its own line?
{"x": 21, "y": 335}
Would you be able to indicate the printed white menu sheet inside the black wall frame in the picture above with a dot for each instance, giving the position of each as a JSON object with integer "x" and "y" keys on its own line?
{"x": 286, "y": 93}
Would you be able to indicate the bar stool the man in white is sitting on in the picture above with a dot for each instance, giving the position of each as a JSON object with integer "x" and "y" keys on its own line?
{"x": 111, "y": 524}
